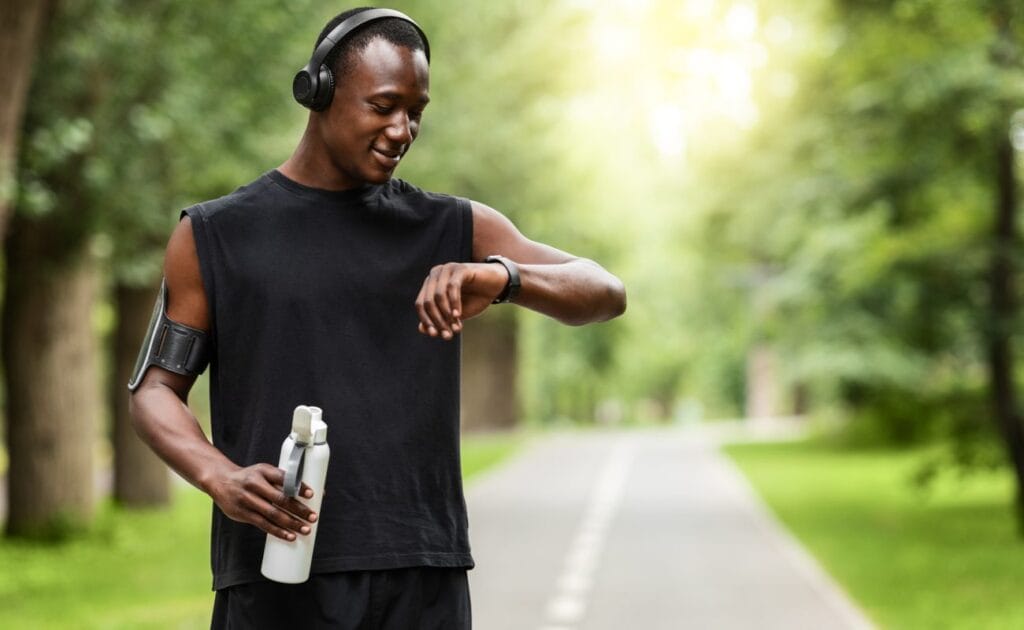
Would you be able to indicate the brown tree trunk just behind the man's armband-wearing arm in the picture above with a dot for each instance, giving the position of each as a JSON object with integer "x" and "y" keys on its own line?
{"x": 141, "y": 479}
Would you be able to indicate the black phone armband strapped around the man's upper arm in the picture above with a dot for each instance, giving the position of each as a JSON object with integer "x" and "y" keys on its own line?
{"x": 172, "y": 346}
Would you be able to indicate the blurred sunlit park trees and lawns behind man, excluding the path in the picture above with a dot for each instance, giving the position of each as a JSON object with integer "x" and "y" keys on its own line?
{"x": 814, "y": 205}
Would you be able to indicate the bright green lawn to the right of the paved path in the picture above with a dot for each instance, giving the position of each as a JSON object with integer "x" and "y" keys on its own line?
{"x": 947, "y": 558}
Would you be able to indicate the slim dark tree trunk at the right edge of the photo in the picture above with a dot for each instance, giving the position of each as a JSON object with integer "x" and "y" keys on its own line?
{"x": 1001, "y": 357}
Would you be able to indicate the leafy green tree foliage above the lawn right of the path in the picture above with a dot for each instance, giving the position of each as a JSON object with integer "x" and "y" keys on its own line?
{"x": 857, "y": 217}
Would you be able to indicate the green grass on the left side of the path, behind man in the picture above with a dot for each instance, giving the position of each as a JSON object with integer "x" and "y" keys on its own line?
{"x": 141, "y": 570}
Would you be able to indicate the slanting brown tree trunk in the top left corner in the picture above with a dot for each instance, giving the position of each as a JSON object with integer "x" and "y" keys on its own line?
{"x": 21, "y": 25}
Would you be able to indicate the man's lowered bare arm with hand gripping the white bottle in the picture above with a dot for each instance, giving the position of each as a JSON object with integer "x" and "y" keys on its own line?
{"x": 162, "y": 418}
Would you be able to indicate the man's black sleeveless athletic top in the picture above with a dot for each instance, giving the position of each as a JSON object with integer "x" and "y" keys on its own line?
{"x": 312, "y": 298}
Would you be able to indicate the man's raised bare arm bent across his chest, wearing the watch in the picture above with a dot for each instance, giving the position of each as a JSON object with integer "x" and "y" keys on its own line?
{"x": 573, "y": 290}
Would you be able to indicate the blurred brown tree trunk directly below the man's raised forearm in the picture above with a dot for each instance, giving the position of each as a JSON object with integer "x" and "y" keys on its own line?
{"x": 490, "y": 395}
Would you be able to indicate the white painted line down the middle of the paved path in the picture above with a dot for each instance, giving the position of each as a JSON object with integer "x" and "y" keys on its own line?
{"x": 568, "y": 607}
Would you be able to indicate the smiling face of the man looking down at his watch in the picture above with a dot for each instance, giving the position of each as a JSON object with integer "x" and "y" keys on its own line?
{"x": 376, "y": 112}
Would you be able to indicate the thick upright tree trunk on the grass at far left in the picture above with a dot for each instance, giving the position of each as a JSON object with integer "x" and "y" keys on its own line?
{"x": 50, "y": 351}
